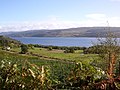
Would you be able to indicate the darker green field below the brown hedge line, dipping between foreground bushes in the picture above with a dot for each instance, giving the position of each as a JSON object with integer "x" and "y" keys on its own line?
{"x": 58, "y": 68}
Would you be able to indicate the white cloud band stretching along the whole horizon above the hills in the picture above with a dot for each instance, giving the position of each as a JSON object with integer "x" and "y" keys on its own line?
{"x": 90, "y": 20}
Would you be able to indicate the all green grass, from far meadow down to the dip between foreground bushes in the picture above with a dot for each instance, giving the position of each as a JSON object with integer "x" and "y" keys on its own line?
{"x": 60, "y": 66}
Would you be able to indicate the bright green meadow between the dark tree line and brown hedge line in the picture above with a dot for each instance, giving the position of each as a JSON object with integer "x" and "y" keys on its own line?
{"x": 77, "y": 56}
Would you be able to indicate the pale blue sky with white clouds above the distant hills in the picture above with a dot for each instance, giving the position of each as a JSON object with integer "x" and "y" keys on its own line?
{"x": 18, "y": 15}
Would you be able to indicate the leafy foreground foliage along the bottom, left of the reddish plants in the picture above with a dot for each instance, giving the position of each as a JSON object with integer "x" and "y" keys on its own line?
{"x": 27, "y": 76}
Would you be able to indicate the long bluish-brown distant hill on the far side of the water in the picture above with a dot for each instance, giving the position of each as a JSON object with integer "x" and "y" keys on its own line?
{"x": 72, "y": 32}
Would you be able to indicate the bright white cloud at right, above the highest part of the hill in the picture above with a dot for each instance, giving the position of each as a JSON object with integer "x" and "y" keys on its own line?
{"x": 101, "y": 20}
